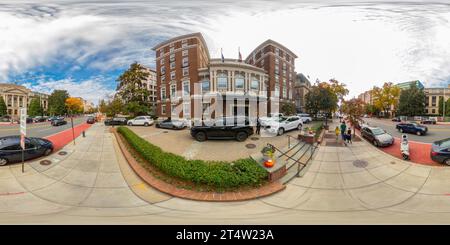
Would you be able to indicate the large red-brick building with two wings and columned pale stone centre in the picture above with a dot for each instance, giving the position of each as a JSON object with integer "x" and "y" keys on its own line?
{"x": 190, "y": 84}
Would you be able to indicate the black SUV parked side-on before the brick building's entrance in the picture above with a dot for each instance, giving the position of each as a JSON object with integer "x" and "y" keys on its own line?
{"x": 238, "y": 132}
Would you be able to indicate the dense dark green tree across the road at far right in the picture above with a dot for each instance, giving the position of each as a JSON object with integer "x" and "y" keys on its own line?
{"x": 412, "y": 102}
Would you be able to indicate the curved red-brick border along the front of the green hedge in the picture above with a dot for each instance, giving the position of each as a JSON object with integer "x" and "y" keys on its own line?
{"x": 169, "y": 189}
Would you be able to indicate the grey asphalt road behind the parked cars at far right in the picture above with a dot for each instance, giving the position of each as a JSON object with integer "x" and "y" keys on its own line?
{"x": 435, "y": 132}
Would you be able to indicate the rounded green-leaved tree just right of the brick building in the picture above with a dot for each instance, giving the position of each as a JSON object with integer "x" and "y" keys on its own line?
{"x": 321, "y": 99}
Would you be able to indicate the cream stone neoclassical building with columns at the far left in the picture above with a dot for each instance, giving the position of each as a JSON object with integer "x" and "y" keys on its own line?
{"x": 17, "y": 96}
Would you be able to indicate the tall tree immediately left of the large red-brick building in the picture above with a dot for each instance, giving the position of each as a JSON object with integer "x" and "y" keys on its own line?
{"x": 131, "y": 90}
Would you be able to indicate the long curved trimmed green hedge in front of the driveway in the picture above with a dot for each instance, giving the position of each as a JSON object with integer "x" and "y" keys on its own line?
{"x": 216, "y": 174}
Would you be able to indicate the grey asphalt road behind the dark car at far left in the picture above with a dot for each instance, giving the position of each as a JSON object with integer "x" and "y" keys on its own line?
{"x": 43, "y": 129}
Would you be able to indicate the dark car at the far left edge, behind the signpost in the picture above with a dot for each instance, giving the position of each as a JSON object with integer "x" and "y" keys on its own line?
{"x": 11, "y": 151}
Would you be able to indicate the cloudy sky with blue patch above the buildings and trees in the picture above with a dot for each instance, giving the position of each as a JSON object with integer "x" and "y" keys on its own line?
{"x": 83, "y": 46}
